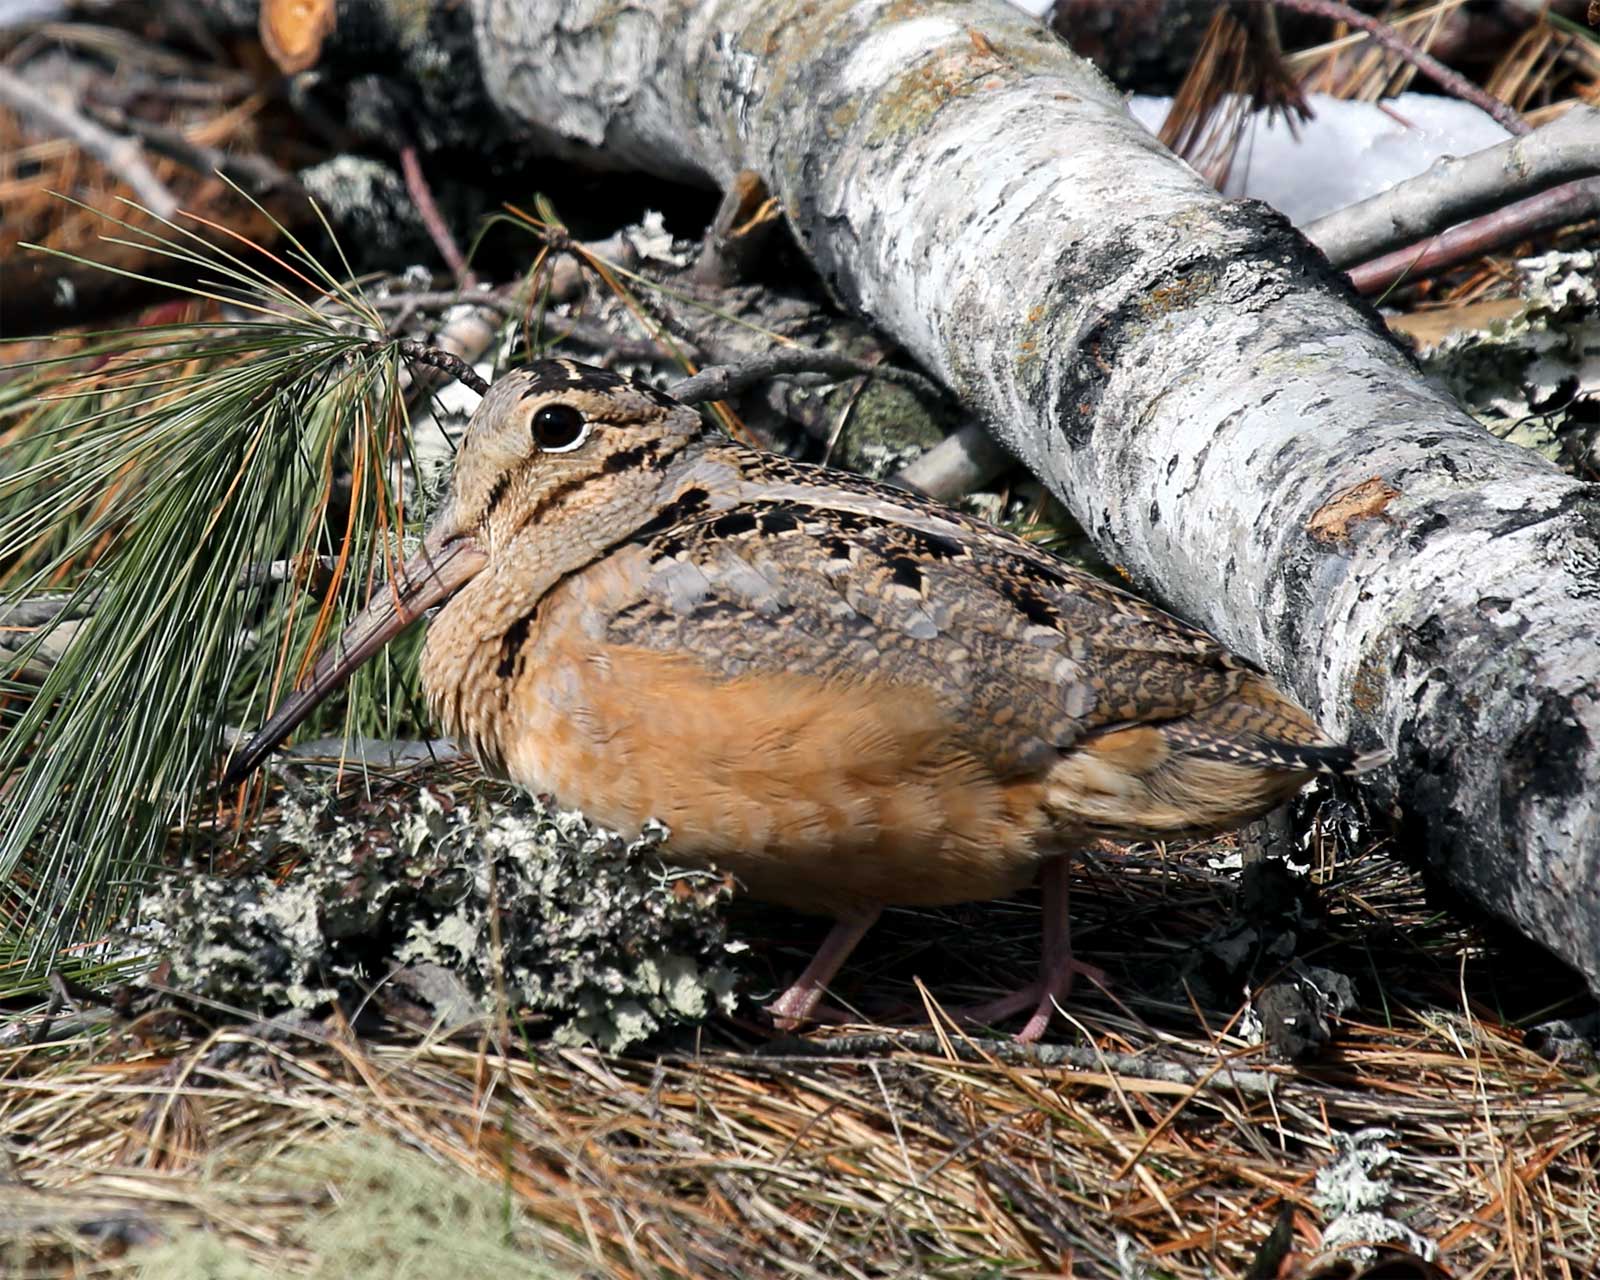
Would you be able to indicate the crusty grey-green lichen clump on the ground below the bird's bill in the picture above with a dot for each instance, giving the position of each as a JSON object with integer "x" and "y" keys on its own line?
{"x": 454, "y": 911}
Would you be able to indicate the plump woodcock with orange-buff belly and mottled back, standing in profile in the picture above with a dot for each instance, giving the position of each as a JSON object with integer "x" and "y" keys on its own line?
{"x": 842, "y": 694}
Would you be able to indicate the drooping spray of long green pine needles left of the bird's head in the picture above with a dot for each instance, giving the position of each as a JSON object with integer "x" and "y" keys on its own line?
{"x": 148, "y": 494}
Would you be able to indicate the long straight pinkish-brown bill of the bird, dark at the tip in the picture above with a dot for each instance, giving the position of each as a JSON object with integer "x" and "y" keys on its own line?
{"x": 438, "y": 572}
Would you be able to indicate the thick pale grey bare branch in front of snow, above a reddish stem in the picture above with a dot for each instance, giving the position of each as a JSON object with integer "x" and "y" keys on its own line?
{"x": 1460, "y": 188}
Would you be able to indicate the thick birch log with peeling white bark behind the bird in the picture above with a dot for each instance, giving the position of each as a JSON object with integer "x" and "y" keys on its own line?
{"x": 1212, "y": 401}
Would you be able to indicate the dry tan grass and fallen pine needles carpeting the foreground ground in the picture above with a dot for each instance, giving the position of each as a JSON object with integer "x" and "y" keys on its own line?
{"x": 1164, "y": 1142}
